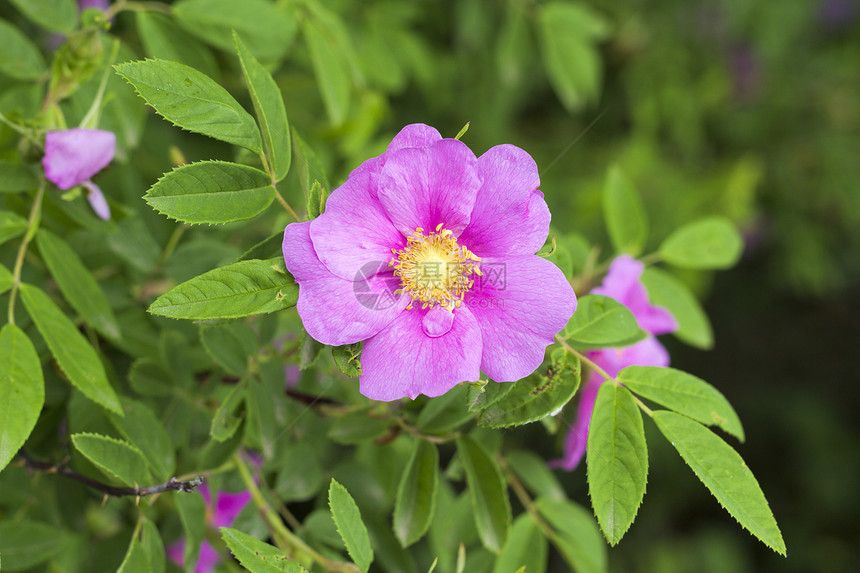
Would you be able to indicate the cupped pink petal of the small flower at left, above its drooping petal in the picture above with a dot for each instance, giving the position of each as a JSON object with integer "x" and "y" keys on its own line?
{"x": 74, "y": 155}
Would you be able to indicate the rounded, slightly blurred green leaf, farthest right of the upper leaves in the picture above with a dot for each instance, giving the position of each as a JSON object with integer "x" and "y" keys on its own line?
{"x": 709, "y": 243}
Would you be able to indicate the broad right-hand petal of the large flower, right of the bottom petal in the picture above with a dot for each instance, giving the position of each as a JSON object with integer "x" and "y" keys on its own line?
{"x": 520, "y": 303}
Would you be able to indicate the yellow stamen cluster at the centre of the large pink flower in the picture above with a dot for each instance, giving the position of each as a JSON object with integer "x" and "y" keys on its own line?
{"x": 434, "y": 269}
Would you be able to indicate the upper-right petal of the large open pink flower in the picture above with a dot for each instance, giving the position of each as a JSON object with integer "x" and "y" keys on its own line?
{"x": 510, "y": 214}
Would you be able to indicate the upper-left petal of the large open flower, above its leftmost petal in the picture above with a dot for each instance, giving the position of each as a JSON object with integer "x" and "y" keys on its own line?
{"x": 355, "y": 229}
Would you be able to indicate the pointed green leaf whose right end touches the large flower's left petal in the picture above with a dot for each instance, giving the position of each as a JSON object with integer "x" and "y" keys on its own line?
{"x": 234, "y": 291}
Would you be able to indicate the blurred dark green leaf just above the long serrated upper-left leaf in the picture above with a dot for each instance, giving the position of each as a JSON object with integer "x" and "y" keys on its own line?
{"x": 164, "y": 40}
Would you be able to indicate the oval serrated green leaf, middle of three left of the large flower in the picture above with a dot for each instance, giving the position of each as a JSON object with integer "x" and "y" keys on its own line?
{"x": 211, "y": 192}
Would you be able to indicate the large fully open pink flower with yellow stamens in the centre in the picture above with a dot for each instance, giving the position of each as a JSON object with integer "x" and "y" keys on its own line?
{"x": 428, "y": 205}
